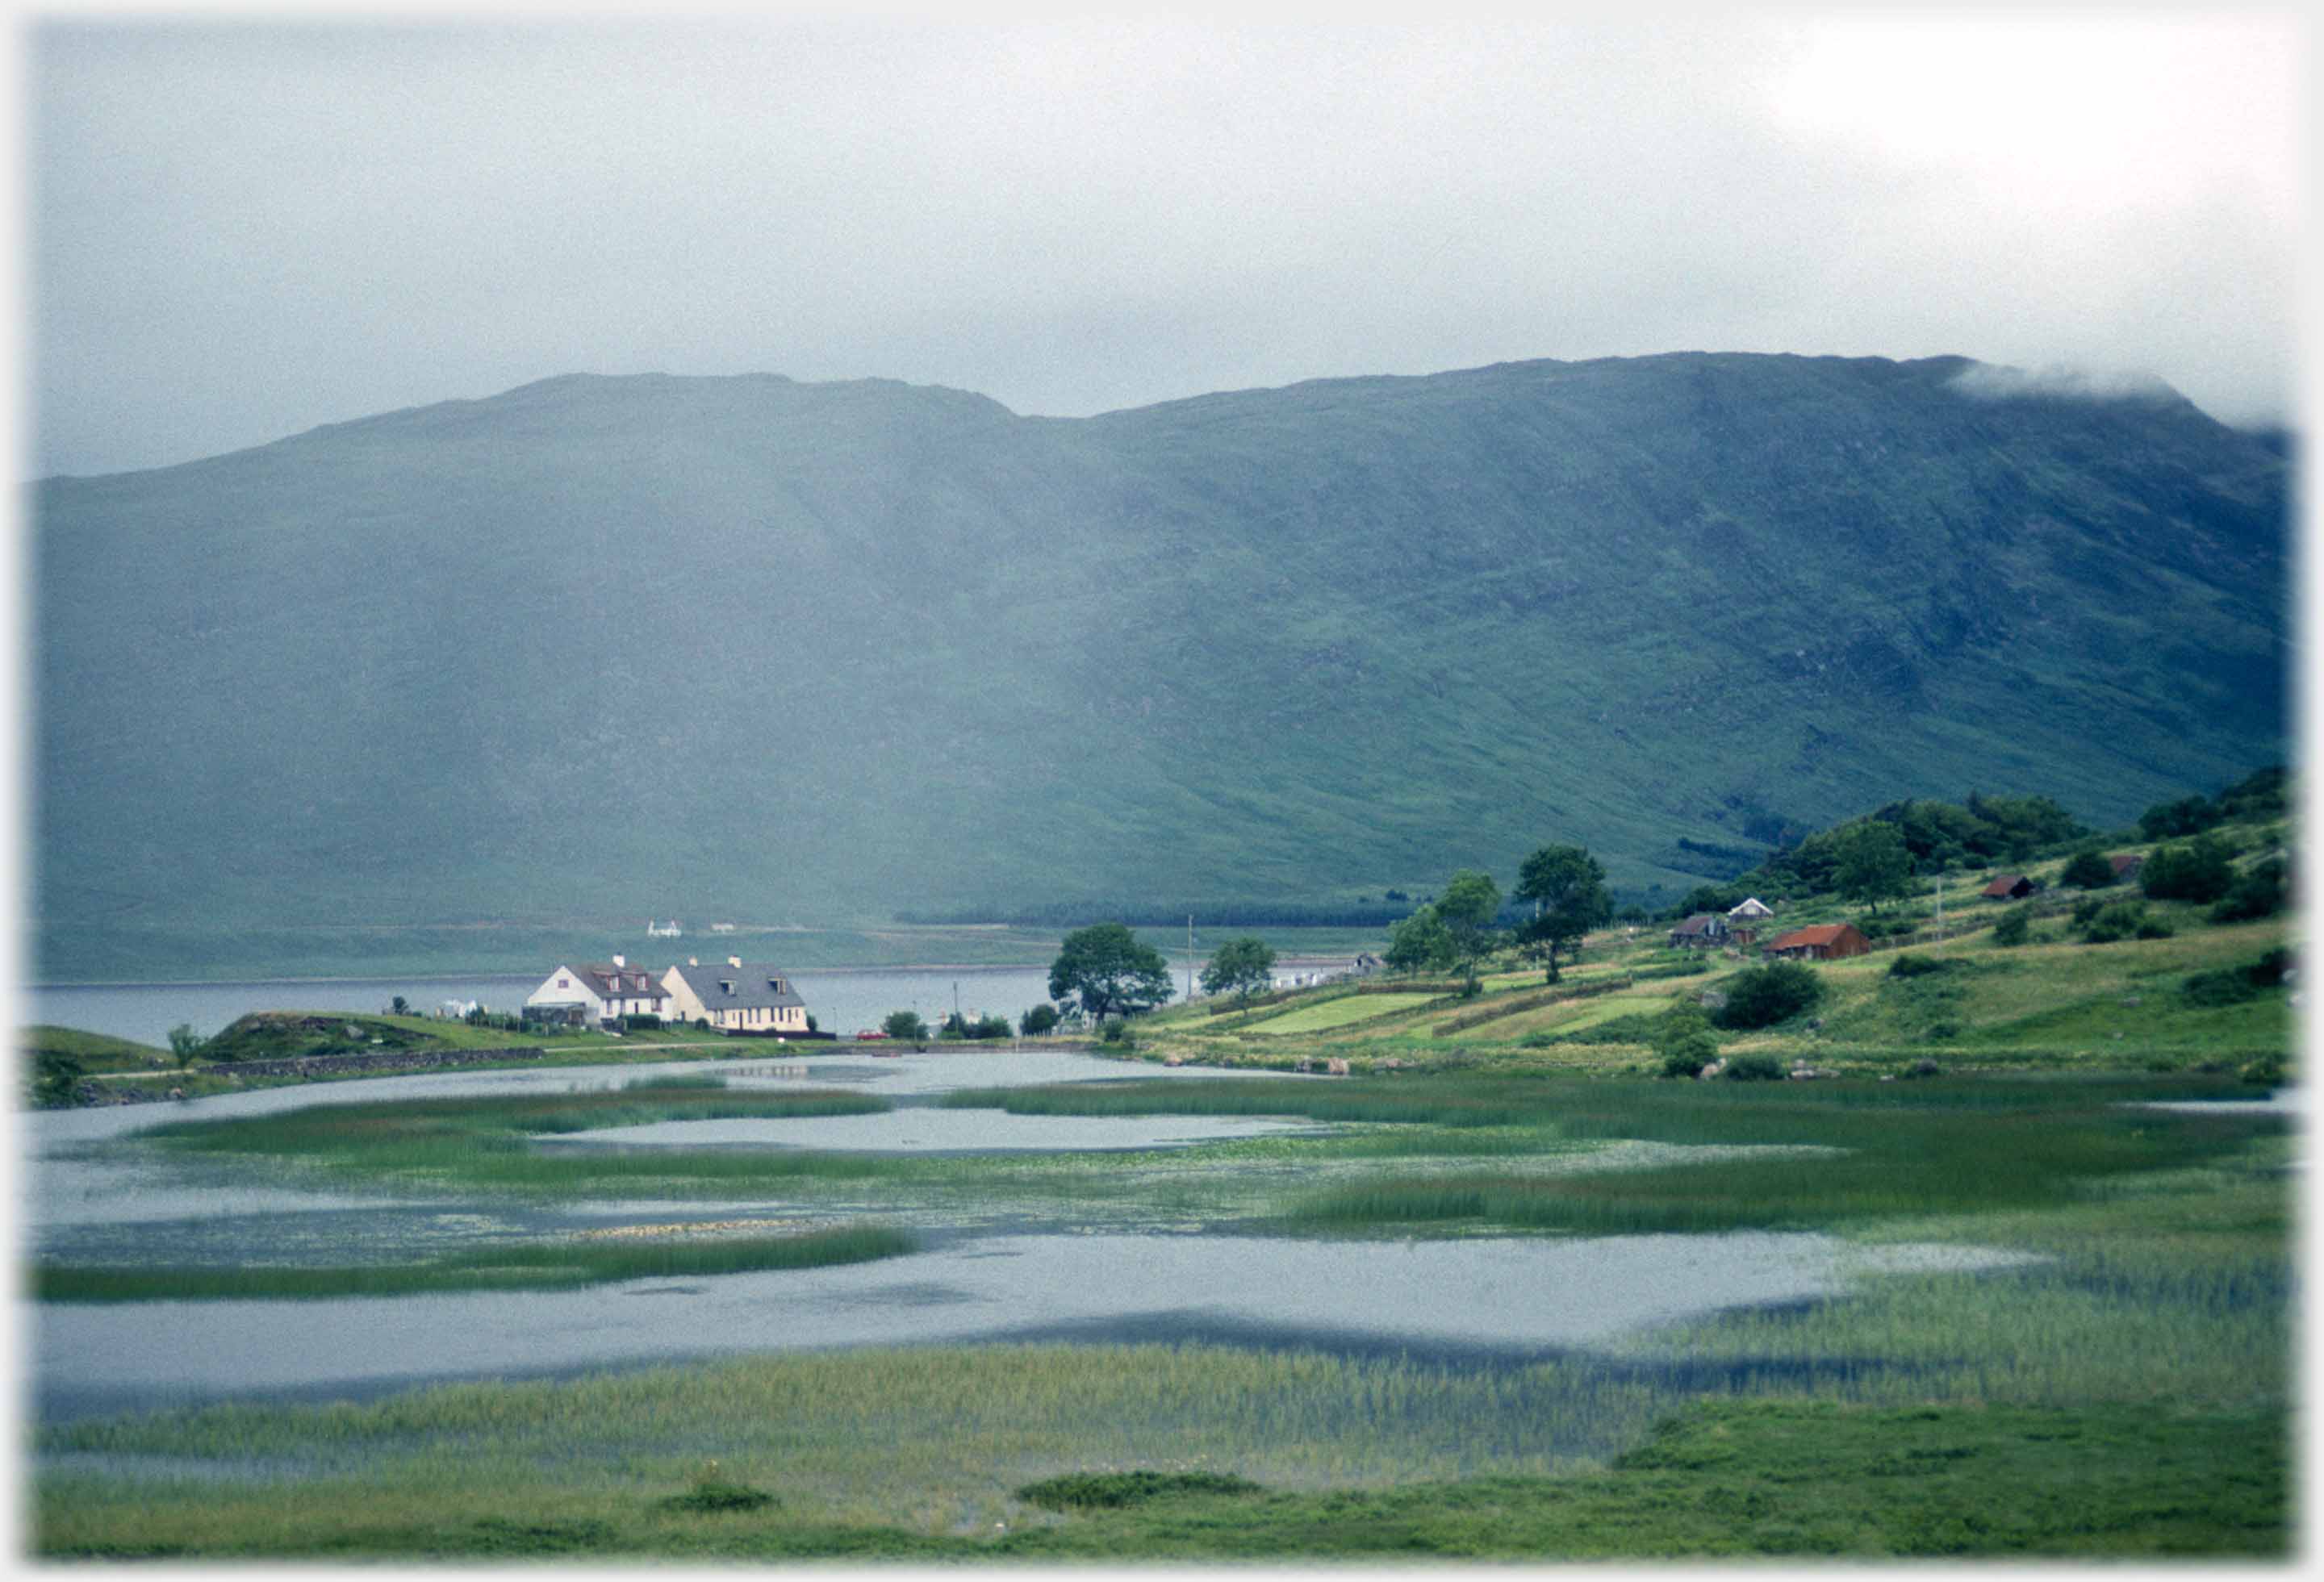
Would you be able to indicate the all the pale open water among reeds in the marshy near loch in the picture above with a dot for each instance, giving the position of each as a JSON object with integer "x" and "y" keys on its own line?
{"x": 1512, "y": 1297}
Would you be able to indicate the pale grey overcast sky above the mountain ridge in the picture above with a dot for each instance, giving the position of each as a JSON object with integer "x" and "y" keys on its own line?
{"x": 241, "y": 231}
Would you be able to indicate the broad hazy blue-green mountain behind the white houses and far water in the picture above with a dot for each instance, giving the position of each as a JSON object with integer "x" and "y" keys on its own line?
{"x": 782, "y": 652}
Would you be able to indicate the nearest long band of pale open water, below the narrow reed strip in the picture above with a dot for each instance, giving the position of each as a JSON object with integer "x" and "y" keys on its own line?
{"x": 1514, "y": 1295}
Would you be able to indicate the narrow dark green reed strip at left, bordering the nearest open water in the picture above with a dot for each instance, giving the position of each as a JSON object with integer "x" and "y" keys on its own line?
{"x": 478, "y": 1270}
